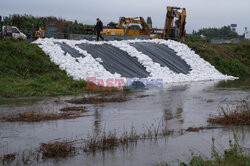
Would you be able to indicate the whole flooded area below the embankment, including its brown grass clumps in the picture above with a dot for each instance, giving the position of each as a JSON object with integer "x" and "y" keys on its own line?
{"x": 142, "y": 127}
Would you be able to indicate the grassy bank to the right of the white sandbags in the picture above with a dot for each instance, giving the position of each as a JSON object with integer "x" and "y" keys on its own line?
{"x": 231, "y": 59}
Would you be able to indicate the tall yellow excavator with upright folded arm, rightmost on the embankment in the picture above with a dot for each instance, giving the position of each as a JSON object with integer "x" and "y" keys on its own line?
{"x": 175, "y": 23}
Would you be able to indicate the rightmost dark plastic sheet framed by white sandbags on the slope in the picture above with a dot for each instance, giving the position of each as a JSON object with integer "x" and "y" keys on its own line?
{"x": 163, "y": 55}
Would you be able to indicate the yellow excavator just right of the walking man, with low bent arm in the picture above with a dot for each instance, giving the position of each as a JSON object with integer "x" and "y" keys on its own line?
{"x": 125, "y": 27}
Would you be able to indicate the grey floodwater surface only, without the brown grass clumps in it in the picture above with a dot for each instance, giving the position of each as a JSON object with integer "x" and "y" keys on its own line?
{"x": 177, "y": 107}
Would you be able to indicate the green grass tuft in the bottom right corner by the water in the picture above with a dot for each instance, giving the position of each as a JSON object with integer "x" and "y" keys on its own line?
{"x": 233, "y": 156}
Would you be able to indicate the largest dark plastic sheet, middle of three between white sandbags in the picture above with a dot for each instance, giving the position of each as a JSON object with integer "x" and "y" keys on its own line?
{"x": 116, "y": 60}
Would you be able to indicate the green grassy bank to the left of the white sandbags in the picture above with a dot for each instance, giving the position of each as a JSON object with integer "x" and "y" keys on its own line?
{"x": 26, "y": 71}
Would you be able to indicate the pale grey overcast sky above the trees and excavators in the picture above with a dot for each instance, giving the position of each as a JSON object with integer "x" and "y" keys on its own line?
{"x": 200, "y": 13}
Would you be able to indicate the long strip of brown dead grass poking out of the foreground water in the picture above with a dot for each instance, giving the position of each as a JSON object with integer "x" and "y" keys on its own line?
{"x": 101, "y": 142}
